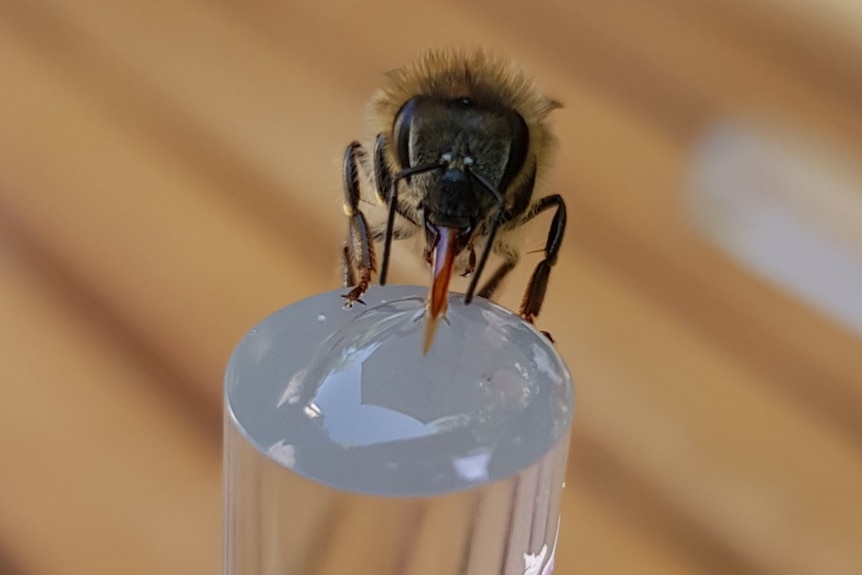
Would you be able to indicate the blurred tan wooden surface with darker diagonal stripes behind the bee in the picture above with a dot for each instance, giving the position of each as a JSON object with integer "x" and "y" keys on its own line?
{"x": 169, "y": 176}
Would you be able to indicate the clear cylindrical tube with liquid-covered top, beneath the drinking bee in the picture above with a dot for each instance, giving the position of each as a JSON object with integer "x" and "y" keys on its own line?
{"x": 348, "y": 450}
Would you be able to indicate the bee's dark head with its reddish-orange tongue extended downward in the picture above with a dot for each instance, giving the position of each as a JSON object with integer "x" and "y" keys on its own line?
{"x": 466, "y": 155}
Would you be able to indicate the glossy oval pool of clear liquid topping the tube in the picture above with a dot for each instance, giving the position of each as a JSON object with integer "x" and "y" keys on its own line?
{"x": 346, "y": 397}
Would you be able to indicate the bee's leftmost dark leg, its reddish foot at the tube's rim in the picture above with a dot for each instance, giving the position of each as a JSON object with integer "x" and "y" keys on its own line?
{"x": 359, "y": 247}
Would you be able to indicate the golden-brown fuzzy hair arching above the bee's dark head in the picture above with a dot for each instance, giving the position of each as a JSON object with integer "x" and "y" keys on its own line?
{"x": 487, "y": 79}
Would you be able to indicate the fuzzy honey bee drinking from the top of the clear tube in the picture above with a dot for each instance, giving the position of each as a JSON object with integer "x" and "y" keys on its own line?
{"x": 457, "y": 140}
